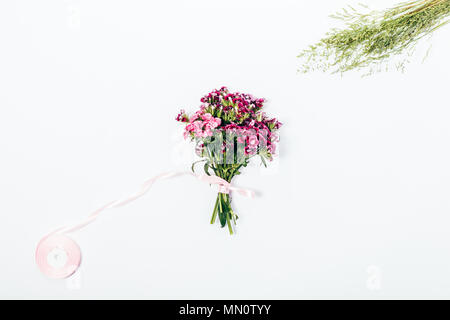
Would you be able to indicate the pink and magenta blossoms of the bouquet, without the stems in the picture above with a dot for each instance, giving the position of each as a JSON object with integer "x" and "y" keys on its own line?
{"x": 236, "y": 116}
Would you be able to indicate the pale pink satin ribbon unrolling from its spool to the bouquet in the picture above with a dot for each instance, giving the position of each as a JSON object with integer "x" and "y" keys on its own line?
{"x": 57, "y": 238}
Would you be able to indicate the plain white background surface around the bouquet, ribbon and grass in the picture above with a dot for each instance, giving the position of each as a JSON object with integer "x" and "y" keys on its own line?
{"x": 356, "y": 207}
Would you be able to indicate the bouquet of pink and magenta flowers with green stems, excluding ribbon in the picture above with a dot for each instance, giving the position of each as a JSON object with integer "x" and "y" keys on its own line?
{"x": 228, "y": 130}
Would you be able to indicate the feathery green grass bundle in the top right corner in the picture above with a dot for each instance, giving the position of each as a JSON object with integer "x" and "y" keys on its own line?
{"x": 371, "y": 39}
